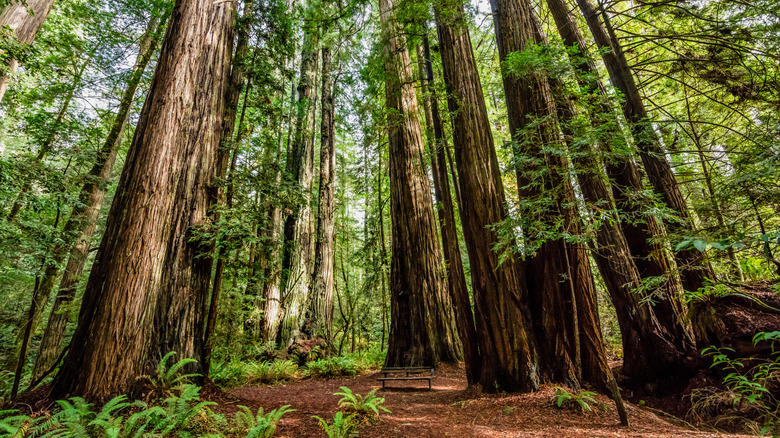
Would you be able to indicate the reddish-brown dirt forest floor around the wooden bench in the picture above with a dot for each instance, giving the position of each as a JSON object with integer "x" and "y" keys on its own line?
{"x": 450, "y": 411}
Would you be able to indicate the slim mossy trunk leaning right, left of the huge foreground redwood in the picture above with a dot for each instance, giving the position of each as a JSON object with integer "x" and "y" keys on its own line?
{"x": 83, "y": 219}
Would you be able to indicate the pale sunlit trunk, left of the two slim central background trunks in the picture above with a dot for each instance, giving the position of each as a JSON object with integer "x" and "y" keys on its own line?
{"x": 301, "y": 168}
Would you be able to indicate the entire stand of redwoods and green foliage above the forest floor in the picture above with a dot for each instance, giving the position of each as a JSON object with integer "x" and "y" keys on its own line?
{"x": 572, "y": 192}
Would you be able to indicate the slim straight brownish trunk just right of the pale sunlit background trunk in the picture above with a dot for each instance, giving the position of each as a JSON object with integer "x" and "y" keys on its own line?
{"x": 321, "y": 306}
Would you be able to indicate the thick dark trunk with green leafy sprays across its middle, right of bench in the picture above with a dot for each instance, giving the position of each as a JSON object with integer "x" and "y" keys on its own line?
{"x": 544, "y": 186}
